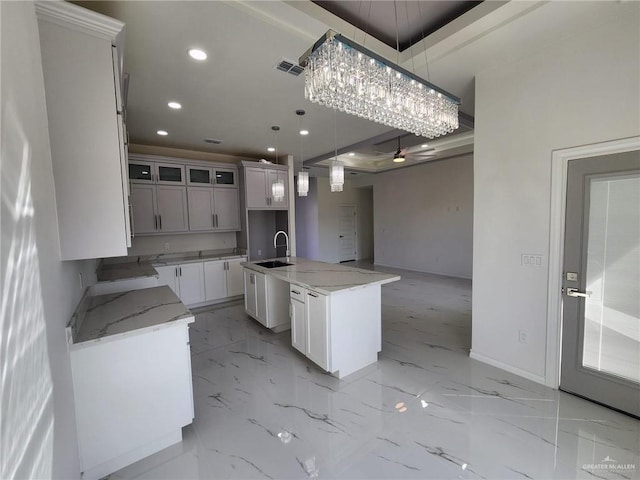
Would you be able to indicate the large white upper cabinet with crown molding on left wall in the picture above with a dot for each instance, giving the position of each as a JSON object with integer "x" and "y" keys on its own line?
{"x": 80, "y": 61}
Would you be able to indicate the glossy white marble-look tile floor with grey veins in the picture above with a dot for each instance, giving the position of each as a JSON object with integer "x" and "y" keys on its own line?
{"x": 425, "y": 410}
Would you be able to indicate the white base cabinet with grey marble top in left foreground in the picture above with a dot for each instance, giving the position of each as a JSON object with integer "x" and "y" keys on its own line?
{"x": 131, "y": 368}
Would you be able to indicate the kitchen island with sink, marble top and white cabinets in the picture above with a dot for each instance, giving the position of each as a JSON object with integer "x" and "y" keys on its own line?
{"x": 334, "y": 311}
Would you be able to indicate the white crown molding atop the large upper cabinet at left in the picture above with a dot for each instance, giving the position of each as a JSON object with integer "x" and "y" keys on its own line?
{"x": 72, "y": 16}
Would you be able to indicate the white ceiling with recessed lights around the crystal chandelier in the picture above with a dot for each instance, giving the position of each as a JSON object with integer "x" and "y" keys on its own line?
{"x": 236, "y": 95}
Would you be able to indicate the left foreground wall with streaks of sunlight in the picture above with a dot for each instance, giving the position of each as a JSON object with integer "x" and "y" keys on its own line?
{"x": 39, "y": 292}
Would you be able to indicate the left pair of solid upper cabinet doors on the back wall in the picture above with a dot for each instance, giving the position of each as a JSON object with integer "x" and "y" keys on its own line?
{"x": 159, "y": 208}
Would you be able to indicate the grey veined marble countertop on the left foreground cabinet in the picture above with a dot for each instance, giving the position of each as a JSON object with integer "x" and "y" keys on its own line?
{"x": 126, "y": 312}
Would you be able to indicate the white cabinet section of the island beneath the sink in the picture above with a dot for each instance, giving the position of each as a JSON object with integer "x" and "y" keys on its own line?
{"x": 267, "y": 300}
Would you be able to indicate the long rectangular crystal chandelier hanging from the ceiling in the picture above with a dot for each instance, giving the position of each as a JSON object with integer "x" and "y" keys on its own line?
{"x": 343, "y": 75}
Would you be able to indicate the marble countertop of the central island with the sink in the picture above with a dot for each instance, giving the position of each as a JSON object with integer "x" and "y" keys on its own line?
{"x": 326, "y": 278}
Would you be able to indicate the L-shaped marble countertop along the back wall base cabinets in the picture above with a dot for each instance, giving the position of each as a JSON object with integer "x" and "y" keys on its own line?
{"x": 143, "y": 266}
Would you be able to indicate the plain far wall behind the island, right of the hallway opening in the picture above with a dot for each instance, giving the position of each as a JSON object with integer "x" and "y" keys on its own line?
{"x": 423, "y": 217}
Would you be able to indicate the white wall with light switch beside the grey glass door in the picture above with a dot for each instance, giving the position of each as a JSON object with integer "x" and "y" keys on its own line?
{"x": 579, "y": 90}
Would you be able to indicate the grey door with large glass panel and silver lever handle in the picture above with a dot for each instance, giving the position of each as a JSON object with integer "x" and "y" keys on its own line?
{"x": 601, "y": 281}
